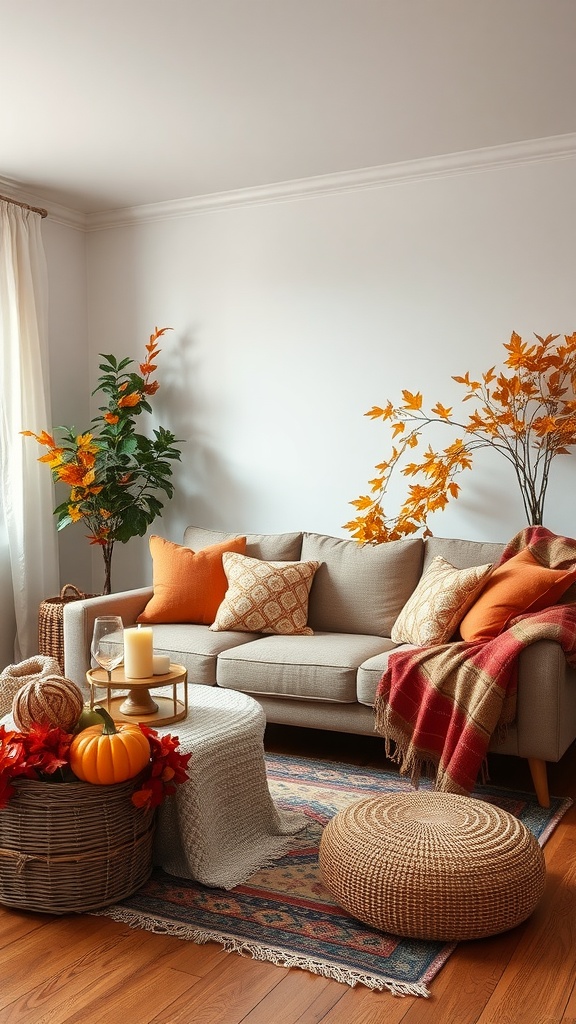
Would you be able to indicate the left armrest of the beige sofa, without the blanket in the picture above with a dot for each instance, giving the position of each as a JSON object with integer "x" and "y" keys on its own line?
{"x": 79, "y": 623}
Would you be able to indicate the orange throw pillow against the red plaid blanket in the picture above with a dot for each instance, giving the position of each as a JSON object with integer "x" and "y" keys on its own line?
{"x": 520, "y": 585}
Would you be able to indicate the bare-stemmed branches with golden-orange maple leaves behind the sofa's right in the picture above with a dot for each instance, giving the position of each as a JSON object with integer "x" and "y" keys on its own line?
{"x": 526, "y": 413}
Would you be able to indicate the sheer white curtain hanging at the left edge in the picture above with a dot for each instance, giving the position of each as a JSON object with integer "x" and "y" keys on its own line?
{"x": 27, "y": 491}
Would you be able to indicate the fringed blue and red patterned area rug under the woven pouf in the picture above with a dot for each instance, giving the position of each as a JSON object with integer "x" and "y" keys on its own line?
{"x": 283, "y": 914}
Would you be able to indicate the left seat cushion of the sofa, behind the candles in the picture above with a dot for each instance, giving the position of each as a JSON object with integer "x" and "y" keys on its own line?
{"x": 197, "y": 649}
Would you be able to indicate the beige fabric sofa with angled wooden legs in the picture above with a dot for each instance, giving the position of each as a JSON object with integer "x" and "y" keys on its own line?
{"x": 328, "y": 680}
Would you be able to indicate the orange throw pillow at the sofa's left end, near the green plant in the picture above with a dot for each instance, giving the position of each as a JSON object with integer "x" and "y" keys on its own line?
{"x": 189, "y": 586}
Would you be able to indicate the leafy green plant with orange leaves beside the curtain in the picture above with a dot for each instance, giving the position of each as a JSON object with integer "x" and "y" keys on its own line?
{"x": 114, "y": 474}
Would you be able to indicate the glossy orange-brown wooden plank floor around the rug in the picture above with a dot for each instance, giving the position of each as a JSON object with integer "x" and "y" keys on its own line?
{"x": 95, "y": 971}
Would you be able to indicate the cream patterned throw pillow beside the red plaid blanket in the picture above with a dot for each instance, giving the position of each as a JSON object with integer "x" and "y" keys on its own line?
{"x": 442, "y": 599}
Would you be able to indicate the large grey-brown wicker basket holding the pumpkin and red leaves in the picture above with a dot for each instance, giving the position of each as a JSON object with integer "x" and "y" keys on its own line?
{"x": 71, "y": 847}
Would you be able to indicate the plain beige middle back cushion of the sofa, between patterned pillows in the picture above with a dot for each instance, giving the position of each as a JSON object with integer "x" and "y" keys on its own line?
{"x": 360, "y": 588}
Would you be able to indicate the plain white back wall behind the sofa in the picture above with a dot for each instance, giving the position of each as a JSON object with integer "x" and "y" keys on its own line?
{"x": 292, "y": 319}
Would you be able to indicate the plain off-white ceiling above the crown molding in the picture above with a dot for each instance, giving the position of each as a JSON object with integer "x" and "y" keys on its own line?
{"x": 114, "y": 104}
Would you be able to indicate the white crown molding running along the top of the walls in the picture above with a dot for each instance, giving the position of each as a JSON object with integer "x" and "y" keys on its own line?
{"x": 385, "y": 176}
